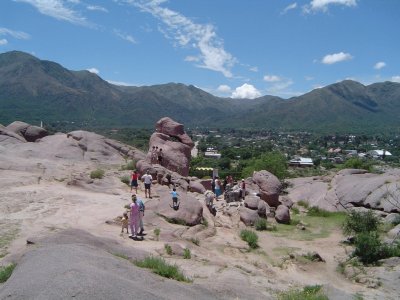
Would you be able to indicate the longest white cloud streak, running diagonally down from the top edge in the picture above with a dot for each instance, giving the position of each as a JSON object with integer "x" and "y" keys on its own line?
{"x": 186, "y": 33}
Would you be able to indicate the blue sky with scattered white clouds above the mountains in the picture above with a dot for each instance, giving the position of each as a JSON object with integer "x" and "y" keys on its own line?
{"x": 230, "y": 48}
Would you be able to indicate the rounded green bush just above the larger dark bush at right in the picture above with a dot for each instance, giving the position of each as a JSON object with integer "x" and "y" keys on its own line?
{"x": 357, "y": 222}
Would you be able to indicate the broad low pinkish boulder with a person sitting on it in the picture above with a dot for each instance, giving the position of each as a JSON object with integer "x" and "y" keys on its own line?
{"x": 190, "y": 210}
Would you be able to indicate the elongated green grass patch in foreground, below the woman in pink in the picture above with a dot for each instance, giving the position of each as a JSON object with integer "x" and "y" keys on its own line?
{"x": 161, "y": 267}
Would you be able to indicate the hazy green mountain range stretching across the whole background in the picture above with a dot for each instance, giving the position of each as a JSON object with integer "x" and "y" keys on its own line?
{"x": 34, "y": 90}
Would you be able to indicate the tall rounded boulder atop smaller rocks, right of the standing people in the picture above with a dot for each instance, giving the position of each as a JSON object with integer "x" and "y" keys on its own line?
{"x": 269, "y": 185}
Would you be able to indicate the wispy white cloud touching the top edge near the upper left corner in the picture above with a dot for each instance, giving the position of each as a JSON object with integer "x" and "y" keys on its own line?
{"x": 57, "y": 10}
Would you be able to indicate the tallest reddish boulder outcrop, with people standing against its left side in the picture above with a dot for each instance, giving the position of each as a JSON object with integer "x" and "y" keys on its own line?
{"x": 176, "y": 146}
